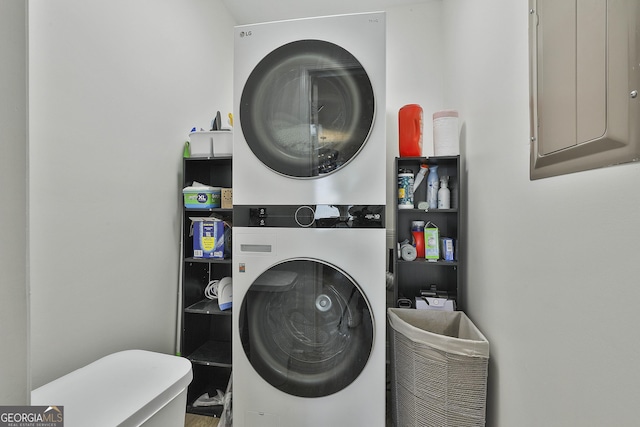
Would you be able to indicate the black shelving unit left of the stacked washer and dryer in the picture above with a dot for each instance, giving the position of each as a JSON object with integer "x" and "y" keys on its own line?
{"x": 206, "y": 330}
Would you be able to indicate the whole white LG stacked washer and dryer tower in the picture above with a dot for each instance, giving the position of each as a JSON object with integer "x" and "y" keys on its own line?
{"x": 309, "y": 222}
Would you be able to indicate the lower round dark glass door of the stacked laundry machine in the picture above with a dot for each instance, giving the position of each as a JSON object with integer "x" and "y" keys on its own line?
{"x": 306, "y": 328}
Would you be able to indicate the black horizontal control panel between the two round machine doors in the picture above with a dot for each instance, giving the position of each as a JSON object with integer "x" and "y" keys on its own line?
{"x": 310, "y": 216}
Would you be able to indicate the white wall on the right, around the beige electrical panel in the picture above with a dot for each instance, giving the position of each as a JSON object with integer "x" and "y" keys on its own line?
{"x": 552, "y": 277}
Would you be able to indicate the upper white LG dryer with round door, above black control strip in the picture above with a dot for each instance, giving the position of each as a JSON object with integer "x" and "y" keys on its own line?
{"x": 309, "y": 111}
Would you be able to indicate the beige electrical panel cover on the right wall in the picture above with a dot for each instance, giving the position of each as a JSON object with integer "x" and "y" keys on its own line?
{"x": 584, "y": 83}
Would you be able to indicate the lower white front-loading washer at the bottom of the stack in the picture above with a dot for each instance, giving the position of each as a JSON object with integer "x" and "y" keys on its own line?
{"x": 309, "y": 319}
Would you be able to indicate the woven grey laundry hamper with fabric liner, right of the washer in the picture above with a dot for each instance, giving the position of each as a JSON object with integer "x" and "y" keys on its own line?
{"x": 439, "y": 364}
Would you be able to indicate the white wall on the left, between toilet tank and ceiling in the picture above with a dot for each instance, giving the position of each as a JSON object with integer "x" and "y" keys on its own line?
{"x": 115, "y": 88}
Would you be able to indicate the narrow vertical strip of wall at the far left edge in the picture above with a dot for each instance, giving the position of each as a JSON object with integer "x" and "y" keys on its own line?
{"x": 14, "y": 305}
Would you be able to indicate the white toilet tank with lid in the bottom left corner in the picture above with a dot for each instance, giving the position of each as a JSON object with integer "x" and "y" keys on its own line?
{"x": 129, "y": 388}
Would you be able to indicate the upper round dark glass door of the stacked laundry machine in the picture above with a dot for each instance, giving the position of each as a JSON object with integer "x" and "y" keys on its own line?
{"x": 307, "y": 108}
